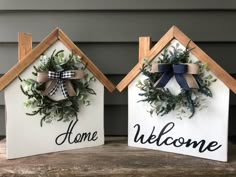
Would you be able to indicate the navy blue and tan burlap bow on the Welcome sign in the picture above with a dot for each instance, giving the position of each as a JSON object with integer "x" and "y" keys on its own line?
{"x": 182, "y": 72}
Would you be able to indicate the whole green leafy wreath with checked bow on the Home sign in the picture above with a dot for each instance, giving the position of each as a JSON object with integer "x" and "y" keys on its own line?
{"x": 65, "y": 109}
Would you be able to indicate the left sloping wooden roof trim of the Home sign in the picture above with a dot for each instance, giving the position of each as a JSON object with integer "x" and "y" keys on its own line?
{"x": 28, "y": 59}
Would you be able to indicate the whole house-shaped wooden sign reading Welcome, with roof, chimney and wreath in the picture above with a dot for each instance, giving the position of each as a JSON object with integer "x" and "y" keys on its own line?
{"x": 178, "y": 99}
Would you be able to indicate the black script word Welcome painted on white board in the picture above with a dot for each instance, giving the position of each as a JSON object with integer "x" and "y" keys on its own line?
{"x": 178, "y": 142}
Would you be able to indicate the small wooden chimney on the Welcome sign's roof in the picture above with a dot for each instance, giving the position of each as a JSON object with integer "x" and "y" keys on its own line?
{"x": 144, "y": 47}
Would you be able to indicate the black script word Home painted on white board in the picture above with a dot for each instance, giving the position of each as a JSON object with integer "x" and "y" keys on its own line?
{"x": 80, "y": 137}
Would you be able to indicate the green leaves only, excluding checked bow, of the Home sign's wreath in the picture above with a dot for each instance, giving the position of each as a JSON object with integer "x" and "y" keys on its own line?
{"x": 62, "y": 110}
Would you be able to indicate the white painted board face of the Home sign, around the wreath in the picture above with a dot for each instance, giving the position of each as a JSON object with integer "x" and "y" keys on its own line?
{"x": 24, "y": 135}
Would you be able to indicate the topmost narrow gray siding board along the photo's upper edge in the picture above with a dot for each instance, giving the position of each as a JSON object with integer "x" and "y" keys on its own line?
{"x": 117, "y": 5}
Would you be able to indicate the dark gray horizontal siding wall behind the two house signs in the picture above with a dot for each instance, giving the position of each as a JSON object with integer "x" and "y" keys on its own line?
{"x": 108, "y": 30}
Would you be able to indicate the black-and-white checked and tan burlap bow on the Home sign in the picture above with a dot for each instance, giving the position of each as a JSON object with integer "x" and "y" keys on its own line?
{"x": 61, "y": 80}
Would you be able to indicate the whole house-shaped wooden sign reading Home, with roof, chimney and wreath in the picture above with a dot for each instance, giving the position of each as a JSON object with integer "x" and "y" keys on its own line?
{"x": 54, "y": 98}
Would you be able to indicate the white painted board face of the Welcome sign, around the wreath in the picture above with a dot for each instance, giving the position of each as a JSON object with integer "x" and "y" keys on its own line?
{"x": 166, "y": 133}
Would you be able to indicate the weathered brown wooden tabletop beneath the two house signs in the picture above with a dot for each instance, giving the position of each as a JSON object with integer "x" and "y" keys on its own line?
{"x": 115, "y": 159}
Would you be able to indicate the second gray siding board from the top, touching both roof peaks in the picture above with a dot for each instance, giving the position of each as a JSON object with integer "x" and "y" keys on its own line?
{"x": 119, "y": 26}
